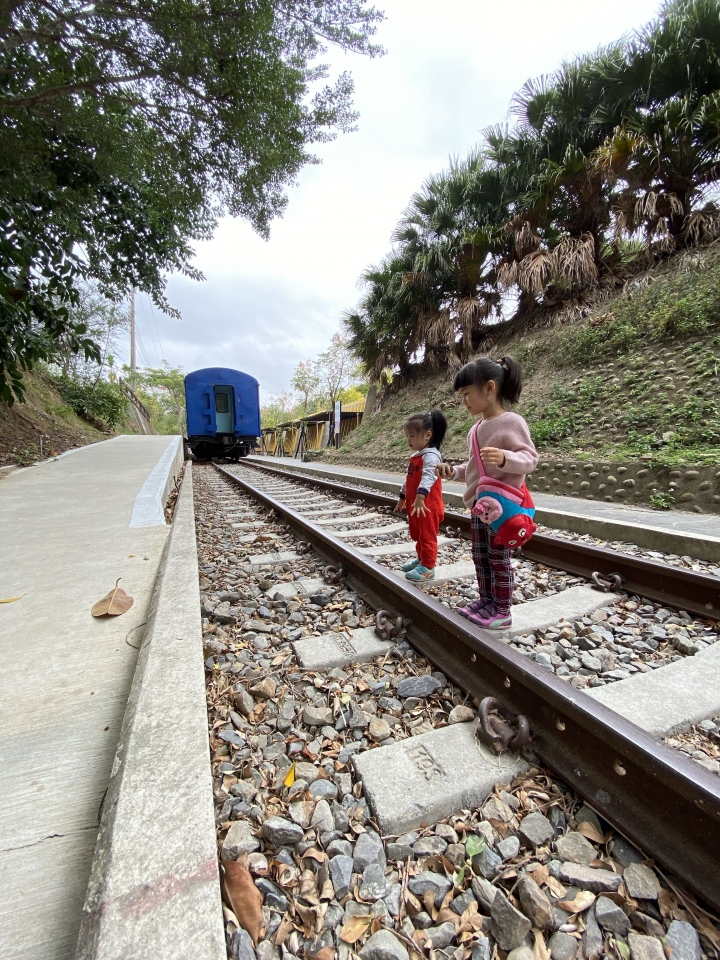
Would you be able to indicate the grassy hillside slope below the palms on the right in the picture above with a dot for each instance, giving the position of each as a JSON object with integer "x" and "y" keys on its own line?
{"x": 637, "y": 379}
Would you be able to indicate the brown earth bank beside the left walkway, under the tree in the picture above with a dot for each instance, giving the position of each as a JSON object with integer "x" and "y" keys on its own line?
{"x": 42, "y": 426}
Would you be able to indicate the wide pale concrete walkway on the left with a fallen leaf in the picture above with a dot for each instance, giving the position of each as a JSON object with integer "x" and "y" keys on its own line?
{"x": 67, "y": 535}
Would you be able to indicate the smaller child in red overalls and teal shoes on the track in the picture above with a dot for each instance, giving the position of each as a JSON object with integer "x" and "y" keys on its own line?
{"x": 425, "y": 432}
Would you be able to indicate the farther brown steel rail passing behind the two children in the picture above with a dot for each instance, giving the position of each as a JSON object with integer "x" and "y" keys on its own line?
{"x": 688, "y": 590}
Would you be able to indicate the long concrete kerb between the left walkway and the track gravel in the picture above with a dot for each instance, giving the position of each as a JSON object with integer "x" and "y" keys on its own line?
{"x": 154, "y": 885}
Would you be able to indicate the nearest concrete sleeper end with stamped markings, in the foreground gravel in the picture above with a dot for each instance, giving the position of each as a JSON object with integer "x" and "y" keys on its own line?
{"x": 424, "y": 779}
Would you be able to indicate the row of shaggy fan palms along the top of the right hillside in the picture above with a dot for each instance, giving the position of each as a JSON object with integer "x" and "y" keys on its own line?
{"x": 611, "y": 163}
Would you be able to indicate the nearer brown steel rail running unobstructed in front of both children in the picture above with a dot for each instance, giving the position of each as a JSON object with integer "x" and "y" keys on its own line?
{"x": 658, "y": 798}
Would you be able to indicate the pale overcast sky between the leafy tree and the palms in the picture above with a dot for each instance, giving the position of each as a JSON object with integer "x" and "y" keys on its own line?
{"x": 450, "y": 70}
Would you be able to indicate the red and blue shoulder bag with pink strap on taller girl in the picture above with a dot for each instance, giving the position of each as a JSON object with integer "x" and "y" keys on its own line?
{"x": 507, "y": 510}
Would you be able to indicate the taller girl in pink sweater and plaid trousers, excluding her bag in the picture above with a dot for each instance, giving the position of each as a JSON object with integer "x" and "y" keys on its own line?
{"x": 488, "y": 387}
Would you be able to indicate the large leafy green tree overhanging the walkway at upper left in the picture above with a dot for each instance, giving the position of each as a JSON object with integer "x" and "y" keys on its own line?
{"x": 129, "y": 128}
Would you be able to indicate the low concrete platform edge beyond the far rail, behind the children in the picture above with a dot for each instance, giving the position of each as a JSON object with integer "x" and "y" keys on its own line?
{"x": 671, "y": 531}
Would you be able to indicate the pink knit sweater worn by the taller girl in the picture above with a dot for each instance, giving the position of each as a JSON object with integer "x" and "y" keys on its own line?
{"x": 509, "y": 433}
